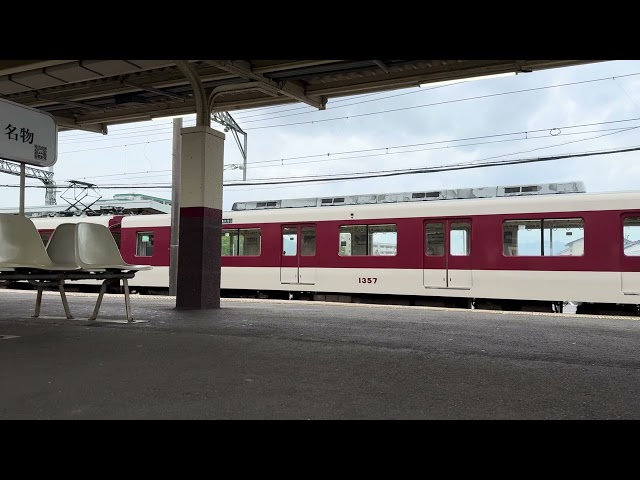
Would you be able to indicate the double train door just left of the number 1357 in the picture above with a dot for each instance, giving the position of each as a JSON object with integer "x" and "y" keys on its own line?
{"x": 297, "y": 261}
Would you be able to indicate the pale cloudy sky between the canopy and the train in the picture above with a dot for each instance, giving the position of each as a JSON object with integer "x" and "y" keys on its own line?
{"x": 577, "y": 110}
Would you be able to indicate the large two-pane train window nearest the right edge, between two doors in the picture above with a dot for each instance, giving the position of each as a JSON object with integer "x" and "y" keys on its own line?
{"x": 547, "y": 237}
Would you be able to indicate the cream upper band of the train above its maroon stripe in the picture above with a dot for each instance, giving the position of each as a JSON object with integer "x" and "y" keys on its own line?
{"x": 577, "y": 202}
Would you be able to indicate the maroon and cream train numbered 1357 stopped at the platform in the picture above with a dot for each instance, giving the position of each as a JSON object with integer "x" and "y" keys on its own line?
{"x": 532, "y": 247}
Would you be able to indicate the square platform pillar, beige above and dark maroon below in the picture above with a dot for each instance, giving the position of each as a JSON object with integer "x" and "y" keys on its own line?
{"x": 201, "y": 170}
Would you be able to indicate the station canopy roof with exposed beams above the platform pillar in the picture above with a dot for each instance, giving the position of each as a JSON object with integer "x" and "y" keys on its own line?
{"x": 93, "y": 94}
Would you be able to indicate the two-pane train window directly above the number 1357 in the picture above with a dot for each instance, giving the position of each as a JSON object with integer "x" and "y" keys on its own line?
{"x": 375, "y": 240}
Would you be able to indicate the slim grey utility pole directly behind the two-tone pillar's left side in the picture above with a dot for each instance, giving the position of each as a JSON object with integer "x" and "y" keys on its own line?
{"x": 175, "y": 206}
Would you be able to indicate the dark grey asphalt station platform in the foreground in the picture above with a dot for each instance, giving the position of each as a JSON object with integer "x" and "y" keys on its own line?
{"x": 305, "y": 360}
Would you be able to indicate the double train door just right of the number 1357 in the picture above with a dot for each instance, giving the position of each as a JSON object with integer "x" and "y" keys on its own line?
{"x": 447, "y": 254}
